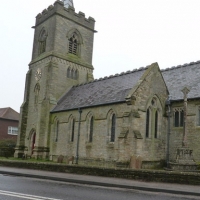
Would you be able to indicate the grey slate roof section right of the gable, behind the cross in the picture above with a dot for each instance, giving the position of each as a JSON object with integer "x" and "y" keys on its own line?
{"x": 187, "y": 75}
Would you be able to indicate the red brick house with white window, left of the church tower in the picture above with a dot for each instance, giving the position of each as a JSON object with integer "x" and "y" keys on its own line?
{"x": 9, "y": 120}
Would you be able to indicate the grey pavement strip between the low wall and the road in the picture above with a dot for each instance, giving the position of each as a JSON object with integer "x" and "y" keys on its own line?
{"x": 191, "y": 190}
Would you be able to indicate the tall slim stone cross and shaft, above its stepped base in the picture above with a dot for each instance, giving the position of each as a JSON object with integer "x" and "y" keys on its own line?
{"x": 185, "y": 91}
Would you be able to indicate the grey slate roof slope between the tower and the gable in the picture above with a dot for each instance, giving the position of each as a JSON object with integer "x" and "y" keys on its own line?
{"x": 103, "y": 91}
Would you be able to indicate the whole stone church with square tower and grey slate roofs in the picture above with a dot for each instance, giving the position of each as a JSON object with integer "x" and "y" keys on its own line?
{"x": 117, "y": 121}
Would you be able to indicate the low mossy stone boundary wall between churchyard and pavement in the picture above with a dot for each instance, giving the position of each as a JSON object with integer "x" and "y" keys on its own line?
{"x": 143, "y": 175}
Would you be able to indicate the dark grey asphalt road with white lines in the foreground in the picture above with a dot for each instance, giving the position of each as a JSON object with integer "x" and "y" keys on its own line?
{"x": 16, "y": 188}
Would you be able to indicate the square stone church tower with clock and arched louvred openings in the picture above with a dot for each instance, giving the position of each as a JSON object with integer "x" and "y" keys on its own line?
{"x": 61, "y": 58}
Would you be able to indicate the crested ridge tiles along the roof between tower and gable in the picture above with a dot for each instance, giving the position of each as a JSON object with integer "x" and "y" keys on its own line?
{"x": 113, "y": 76}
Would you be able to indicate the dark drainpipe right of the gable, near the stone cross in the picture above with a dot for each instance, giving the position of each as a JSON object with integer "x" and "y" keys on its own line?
{"x": 168, "y": 103}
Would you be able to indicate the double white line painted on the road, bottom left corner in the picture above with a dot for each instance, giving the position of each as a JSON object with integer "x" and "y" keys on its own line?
{"x": 25, "y": 196}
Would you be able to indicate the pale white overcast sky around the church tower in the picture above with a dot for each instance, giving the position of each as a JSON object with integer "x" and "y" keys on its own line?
{"x": 131, "y": 34}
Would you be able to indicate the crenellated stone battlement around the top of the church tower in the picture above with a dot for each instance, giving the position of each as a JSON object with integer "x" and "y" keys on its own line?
{"x": 69, "y": 13}
